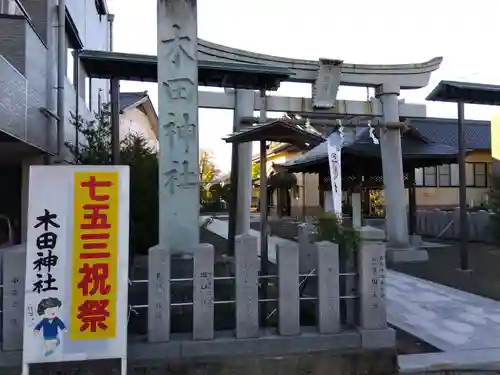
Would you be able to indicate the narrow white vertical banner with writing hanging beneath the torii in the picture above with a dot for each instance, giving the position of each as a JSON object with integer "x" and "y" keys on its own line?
{"x": 334, "y": 144}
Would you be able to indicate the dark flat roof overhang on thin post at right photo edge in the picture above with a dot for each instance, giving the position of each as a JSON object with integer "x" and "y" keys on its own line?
{"x": 465, "y": 92}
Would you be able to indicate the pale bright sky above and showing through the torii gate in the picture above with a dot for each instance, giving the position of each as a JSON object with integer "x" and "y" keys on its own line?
{"x": 356, "y": 31}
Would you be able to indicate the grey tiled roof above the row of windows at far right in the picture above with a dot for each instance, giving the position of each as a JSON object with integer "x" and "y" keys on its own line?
{"x": 445, "y": 131}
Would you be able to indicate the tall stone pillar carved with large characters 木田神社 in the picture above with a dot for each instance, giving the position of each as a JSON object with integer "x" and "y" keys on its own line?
{"x": 178, "y": 120}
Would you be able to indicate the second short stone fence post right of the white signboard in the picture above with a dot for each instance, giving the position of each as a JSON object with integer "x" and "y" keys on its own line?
{"x": 203, "y": 292}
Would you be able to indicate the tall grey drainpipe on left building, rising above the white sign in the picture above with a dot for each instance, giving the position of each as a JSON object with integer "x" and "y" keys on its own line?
{"x": 61, "y": 73}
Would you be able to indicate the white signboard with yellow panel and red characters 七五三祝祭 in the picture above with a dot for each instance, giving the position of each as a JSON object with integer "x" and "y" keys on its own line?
{"x": 76, "y": 303}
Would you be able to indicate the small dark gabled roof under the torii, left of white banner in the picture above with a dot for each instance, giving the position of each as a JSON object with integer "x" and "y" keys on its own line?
{"x": 276, "y": 131}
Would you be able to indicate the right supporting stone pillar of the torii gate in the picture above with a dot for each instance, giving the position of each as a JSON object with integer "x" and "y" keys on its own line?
{"x": 392, "y": 166}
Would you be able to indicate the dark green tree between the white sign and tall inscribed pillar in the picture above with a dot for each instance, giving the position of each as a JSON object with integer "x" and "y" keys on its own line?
{"x": 94, "y": 148}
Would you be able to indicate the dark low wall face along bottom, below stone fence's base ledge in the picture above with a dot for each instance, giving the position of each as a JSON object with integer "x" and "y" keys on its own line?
{"x": 380, "y": 362}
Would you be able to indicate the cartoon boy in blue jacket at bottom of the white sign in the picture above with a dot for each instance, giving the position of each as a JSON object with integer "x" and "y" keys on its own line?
{"x": 48, "y": 308}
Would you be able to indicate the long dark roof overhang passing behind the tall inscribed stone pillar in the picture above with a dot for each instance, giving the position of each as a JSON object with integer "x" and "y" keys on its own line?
{"x": 125, "y": 66}
